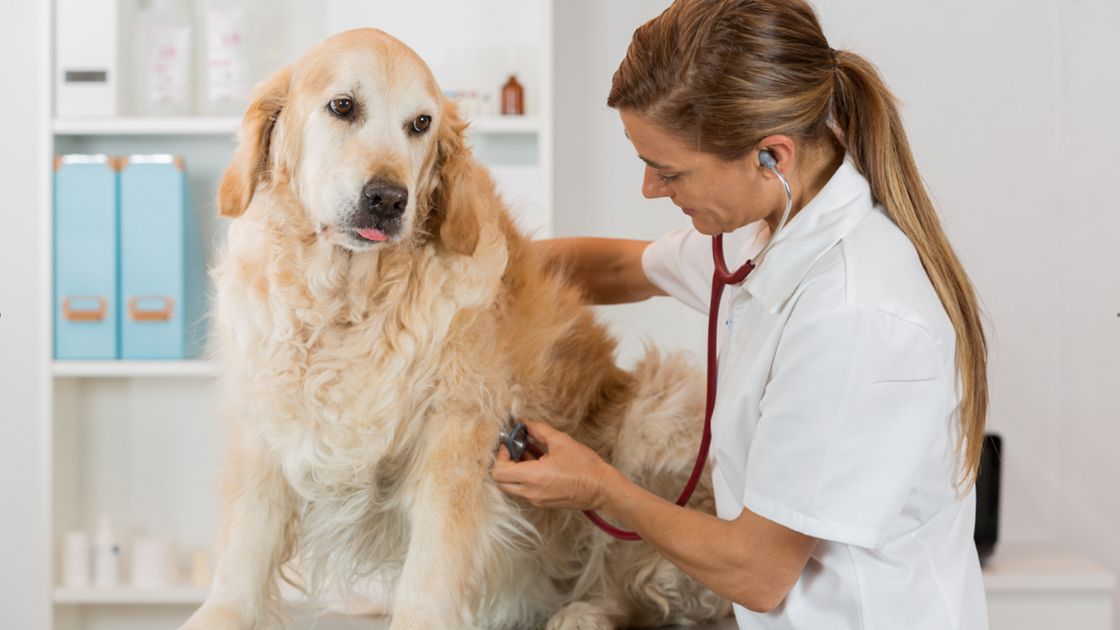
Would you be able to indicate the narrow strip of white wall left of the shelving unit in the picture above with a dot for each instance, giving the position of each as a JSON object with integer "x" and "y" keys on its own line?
{"x": 24, "y": 476}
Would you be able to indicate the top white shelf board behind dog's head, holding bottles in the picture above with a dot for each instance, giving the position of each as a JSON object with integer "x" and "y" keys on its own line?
{"x": 228, "y": 126}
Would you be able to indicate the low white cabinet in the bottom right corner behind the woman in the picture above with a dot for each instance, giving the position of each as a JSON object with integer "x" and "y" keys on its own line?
{"x": 1047, "y": 589}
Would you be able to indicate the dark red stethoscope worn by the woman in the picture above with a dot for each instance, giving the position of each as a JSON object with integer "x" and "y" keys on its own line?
{"x": 517, "y": 438}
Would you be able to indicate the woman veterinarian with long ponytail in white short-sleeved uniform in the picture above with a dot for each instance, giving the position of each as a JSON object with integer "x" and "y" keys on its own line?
{"x": 853, "y": 392}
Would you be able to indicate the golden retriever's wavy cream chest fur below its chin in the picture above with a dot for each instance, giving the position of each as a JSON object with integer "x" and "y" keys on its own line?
{"x": 340, "y": 360}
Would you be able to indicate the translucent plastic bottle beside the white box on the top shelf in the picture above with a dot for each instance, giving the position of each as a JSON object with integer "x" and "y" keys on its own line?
{"x": 164, "y": 78}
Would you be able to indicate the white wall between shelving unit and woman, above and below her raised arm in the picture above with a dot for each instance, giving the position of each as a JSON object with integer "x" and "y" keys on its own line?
{"x": 599, "y": 175}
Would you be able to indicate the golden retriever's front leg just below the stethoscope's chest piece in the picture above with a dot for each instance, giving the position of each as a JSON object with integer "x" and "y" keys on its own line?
{"x": 453, "y": 529}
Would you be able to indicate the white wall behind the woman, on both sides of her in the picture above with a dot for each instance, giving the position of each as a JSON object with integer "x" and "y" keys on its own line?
{"x": 1011, "y": 108}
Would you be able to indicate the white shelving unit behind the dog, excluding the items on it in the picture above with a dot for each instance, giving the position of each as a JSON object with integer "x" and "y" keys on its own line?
{"x": 142, "y": 441}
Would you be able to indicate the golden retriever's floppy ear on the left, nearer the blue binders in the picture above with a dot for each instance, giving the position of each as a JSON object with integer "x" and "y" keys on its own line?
{"x": 251, "y": 161}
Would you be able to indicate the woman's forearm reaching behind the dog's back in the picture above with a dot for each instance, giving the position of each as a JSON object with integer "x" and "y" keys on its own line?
{"x": 608, "y": 271}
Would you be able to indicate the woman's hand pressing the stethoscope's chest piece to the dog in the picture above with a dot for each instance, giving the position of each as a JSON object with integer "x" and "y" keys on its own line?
{"x": 568, "y": 476}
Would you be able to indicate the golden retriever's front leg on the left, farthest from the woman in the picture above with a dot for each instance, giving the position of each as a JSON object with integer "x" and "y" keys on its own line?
{"x": 258, "y": 512}
